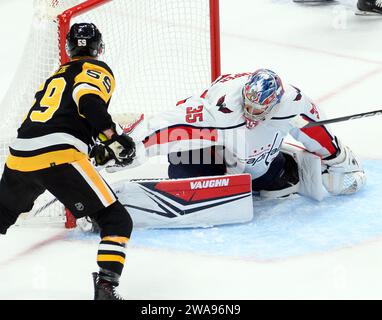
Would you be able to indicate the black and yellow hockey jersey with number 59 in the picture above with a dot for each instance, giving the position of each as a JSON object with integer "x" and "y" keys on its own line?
{"x": 69, "y": 110}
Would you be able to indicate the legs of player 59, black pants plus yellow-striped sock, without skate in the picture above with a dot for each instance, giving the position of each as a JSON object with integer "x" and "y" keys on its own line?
{"x": 82, "y": 190}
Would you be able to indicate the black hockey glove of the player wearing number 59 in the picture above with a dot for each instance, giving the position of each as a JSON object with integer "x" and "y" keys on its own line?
{"x": 120, "y": 148}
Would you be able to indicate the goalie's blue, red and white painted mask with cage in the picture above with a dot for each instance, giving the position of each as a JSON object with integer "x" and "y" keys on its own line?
{"x": 261, "y": 93}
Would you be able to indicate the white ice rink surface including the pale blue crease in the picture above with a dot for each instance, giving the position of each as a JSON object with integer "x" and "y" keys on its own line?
{"x": 326, "y": 51}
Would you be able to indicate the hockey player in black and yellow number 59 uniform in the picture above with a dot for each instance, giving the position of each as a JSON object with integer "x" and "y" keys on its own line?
{"x": 51, "y": 153}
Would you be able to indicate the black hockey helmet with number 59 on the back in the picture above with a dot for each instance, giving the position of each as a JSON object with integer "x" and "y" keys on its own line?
{"x": 84, "y": 39}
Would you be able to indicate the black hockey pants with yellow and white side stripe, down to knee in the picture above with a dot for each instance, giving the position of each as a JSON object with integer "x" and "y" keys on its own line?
{"x": 78, "y": 186}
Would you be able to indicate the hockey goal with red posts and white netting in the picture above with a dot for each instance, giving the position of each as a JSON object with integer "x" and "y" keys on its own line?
{"x": 160, "y": 51}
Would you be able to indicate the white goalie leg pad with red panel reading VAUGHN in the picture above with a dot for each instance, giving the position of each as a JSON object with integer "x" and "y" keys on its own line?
{"x": 187, "y": 203}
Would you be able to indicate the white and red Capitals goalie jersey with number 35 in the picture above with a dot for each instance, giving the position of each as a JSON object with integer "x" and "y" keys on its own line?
{"x": 216, "y": 118}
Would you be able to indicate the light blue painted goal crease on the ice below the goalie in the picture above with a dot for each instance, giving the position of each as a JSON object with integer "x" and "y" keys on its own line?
{"x": 282, "y": 228}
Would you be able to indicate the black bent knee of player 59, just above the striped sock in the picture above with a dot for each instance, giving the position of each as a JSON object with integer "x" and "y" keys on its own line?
{"x": 114, "y": 220}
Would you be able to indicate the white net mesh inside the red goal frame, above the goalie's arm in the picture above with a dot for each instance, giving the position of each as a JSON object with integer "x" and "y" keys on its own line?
{"x": 158, "y": 50}
